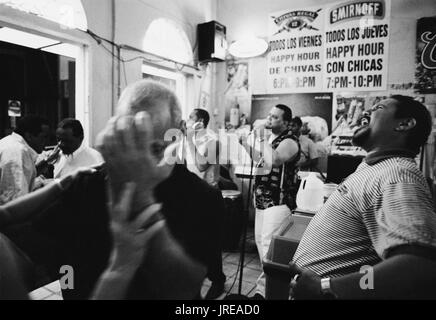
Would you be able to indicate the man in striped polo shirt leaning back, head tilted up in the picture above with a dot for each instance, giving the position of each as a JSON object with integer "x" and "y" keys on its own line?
{"x": 375, "y": 237}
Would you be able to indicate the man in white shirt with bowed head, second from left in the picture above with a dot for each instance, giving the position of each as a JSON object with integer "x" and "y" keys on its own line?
{"x": 74, "y": 154}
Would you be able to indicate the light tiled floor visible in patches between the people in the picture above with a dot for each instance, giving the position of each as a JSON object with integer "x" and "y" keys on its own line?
{"x": 251, "y": 272}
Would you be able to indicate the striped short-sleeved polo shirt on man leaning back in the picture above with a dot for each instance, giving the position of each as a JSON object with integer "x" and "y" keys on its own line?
{"x": 377, "y": 208}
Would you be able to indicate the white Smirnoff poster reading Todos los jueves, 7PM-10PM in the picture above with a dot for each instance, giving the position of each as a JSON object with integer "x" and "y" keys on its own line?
{"x": 356, "y": 46}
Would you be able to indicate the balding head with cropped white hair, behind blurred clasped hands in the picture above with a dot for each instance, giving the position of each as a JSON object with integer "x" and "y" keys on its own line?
{"x": 157, "y": 99}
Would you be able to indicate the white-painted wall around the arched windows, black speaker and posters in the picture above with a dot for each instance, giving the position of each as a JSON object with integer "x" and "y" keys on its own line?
{"x": 239, "y": 16}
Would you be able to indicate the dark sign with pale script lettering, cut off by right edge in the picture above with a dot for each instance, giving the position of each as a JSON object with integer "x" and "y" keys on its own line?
{"x": 426, "y": 56}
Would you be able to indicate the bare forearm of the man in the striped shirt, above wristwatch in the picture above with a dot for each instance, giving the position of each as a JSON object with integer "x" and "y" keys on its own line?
{"x": 399, "y": 277}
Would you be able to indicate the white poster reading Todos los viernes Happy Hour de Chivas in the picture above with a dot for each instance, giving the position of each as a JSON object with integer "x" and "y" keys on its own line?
{"x": 295, "y": 55}
